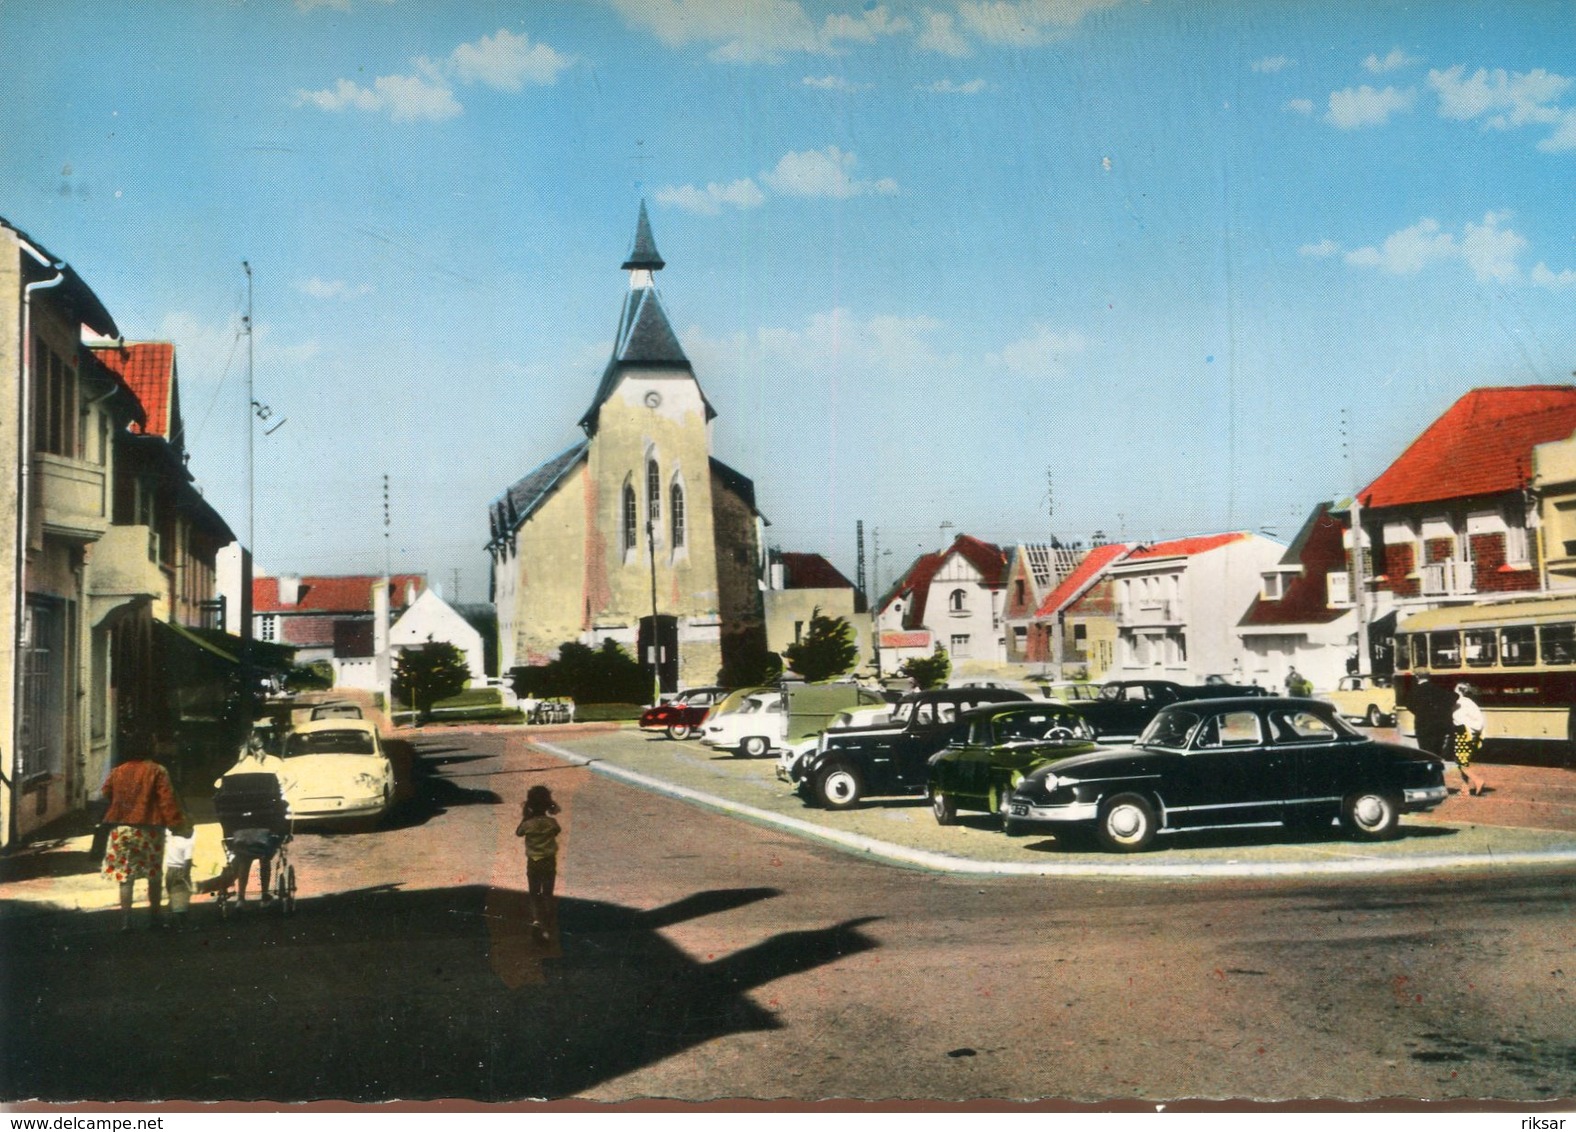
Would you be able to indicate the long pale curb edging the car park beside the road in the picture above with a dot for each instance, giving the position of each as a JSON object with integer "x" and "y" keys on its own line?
{"x": 1120, "y": 868}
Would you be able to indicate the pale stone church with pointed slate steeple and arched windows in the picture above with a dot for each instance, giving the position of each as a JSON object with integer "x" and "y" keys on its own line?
{"x": 636, "y": 534}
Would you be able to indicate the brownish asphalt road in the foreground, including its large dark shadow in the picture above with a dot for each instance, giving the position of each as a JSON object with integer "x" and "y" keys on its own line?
{"x": 705, "y": 958}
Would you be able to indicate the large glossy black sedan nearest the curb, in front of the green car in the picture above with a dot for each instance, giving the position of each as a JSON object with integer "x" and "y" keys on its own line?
{"x": 1235, "y": 762}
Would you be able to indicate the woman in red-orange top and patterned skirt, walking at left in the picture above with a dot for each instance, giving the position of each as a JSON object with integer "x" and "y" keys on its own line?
{"x": 143, "y": 805}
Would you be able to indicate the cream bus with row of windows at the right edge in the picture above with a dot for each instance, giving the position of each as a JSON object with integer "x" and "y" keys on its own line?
{"x": 1518, "y": 655}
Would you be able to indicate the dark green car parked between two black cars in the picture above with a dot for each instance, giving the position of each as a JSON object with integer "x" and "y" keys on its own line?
{"x": 1005, "y": 742}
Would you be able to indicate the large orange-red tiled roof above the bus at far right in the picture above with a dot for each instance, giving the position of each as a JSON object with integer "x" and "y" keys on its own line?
{"x": 1481, "y": 447}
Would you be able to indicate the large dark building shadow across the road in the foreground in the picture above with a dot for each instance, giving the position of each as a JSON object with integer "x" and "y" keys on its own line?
{"x": 377, "y": 994}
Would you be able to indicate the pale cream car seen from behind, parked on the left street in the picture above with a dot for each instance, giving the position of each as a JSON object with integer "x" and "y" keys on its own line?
{"x": 336, "y": 769}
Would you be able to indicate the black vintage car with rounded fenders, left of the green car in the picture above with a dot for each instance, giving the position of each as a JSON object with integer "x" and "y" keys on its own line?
{"x": 894, "y": 759}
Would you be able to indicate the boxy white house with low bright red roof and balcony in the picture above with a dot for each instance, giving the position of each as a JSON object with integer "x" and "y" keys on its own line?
{"x": 1180, "y": 605}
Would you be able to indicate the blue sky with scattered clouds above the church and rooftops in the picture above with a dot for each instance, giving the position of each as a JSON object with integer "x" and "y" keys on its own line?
{"x": 1020, "y": 270}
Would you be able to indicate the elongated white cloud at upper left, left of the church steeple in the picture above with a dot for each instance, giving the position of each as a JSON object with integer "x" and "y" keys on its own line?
{"x": 504, "y": 61}
